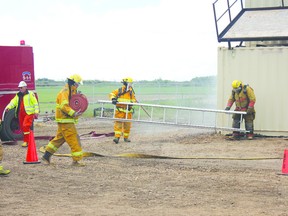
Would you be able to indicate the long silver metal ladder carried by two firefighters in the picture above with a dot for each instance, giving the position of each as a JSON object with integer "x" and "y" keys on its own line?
{"x": 168, "y": 115}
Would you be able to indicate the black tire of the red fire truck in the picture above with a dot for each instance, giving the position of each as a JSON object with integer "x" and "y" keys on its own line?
{"x": 10, "y": 129}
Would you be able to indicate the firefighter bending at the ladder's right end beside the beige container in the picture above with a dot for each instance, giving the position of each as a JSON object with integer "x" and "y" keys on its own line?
{"x": 244, "y": 98}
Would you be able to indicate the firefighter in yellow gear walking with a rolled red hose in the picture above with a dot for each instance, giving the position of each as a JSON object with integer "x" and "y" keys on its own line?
{"x": 66, "y": 118}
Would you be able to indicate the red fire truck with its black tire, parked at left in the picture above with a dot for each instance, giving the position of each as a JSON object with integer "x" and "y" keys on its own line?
{"x": 16, "y": 64}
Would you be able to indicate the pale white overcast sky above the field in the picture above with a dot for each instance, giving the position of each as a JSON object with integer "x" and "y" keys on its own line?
{"x": 112, "y": 39}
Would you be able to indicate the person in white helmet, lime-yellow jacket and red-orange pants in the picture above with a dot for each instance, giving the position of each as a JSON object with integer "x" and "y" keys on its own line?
{"x": 27, "y": 108}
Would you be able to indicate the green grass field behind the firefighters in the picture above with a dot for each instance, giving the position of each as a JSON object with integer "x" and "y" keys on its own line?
{"x": 172, "y": 95}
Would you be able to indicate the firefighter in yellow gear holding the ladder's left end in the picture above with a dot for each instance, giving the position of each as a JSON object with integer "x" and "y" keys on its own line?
{"x": 123, "y": 94}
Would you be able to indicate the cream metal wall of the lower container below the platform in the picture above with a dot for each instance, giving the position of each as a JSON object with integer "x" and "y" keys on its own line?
{"x": 265, "y": 69}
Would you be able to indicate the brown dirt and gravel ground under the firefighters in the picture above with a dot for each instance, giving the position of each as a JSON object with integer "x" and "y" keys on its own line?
{"x": 206, "y": 174}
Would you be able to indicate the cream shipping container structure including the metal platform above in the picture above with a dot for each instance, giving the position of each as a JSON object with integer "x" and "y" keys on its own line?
{"x": 259, "y": 60}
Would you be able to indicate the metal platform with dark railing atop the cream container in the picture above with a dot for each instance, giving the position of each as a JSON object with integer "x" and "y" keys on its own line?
{"x": 251, "y": 24}
